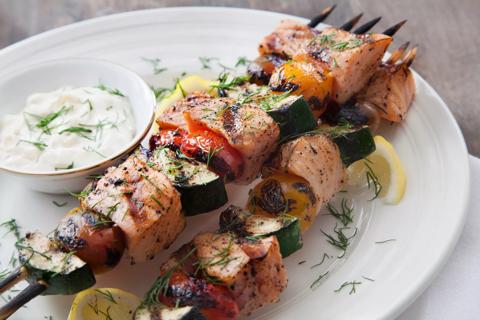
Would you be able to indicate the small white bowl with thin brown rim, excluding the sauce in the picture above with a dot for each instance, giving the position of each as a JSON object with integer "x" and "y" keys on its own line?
{"x": 49, "y": 76}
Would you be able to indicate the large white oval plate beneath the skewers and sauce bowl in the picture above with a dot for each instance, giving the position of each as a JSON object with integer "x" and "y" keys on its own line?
{"x": 426, "y": 225}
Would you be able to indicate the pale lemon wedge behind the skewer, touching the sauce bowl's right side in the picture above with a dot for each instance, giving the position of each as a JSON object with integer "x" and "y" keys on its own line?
{"x": 183, "y": 87}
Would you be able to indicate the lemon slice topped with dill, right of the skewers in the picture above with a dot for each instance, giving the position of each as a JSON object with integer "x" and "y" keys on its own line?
{"x": 383, "y": 170}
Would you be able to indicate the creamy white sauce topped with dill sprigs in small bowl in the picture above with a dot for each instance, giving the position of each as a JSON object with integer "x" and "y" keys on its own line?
{"x": 68, "y": 127}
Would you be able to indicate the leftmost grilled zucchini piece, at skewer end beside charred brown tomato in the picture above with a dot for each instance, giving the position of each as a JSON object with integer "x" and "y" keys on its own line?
{"x": 64, "y": 273}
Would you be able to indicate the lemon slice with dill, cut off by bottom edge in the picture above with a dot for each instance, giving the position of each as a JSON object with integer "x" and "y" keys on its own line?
{"x": 103, "y": 303}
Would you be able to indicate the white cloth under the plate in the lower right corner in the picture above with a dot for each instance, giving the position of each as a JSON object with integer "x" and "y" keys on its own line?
{"x": 455, "y": 293}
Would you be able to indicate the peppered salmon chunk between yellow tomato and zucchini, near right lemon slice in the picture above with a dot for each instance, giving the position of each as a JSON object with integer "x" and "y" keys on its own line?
{"x": 315, "y": 158}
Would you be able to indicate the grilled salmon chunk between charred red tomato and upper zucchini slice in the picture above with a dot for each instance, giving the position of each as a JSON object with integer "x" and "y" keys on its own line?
{"x": 247, "y": 128}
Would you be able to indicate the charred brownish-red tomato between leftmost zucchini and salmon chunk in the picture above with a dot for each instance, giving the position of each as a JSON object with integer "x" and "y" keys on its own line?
{"x": 93, "y": 238}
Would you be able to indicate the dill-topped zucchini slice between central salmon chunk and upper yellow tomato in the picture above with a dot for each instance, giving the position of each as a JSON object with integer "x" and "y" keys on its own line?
{"x": 291, "y": 112}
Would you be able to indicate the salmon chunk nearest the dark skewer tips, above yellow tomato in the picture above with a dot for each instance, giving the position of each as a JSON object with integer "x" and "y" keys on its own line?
{"x": 352, "y": 59}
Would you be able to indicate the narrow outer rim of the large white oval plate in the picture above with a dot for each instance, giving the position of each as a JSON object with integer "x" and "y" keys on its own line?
{"x": 433, "y": 269}
